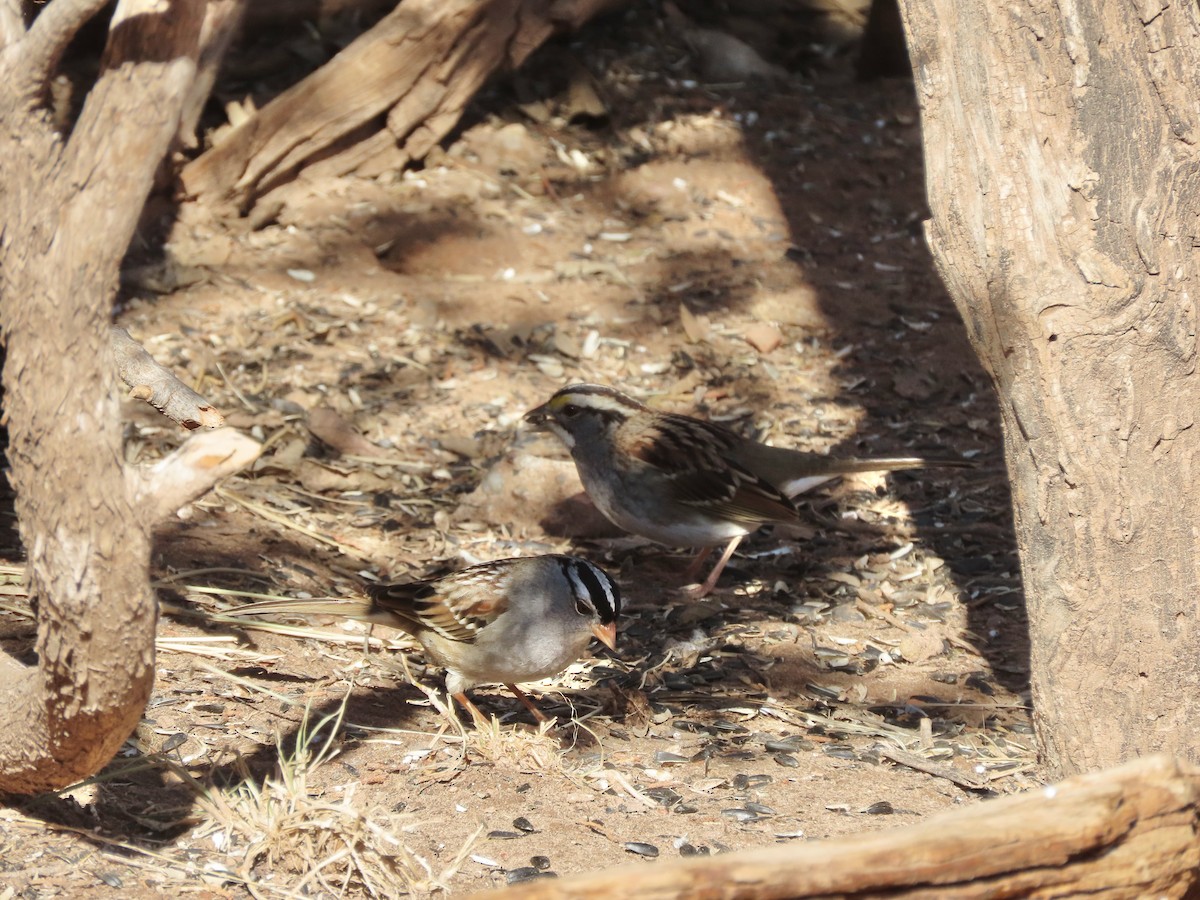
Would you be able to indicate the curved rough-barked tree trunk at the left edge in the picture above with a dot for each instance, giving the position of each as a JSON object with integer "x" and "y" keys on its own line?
{"x": 70, "y": 209}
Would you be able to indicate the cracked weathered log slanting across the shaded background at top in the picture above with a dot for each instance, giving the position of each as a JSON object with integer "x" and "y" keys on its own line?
{"x": 413, "y": 74}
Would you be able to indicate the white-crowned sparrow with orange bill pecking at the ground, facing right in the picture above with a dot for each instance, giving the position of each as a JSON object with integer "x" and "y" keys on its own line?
{"x": 496, "y": 623}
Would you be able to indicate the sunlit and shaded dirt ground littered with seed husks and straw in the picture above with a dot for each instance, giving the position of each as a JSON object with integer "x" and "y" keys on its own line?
{"x": 752, "y": 254}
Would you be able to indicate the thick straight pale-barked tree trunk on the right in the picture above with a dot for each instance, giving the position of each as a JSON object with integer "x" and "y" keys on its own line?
{"x": 1061, "y": 151}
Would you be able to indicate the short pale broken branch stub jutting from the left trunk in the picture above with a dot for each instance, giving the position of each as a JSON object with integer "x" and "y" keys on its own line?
{"x": 160, "y": 490}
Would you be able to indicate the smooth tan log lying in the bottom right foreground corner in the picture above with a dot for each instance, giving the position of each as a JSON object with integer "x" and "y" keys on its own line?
{"x": 1129, "y": 832}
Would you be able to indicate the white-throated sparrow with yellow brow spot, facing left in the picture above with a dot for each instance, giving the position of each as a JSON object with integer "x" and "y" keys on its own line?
{"x": 683, "y": 482}
